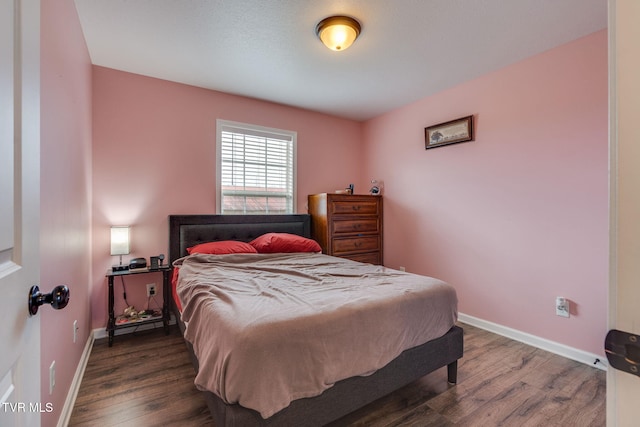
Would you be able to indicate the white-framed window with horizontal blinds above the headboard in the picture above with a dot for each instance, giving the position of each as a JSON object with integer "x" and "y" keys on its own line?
{"x": 256, "y": 169}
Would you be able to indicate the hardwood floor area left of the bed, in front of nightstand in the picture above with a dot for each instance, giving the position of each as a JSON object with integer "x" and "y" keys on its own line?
{"x": 143, "y": 380}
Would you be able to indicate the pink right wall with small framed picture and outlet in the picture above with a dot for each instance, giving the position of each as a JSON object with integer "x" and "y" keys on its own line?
{"x": 520, "y": 215}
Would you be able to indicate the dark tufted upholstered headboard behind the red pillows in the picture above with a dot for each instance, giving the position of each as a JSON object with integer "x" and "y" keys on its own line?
{"x": 188, "y": 230}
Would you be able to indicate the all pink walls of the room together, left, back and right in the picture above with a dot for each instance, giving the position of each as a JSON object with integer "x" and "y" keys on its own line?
{"x": 511, "y": 220}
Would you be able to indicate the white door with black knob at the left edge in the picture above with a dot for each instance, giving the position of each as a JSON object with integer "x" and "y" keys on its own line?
{"x": 20, "y": 400}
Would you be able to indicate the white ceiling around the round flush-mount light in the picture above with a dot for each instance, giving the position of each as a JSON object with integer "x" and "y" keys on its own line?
{"x": 268, "y": 49}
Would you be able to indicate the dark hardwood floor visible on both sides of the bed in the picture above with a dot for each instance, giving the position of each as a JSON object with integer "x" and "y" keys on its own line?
{"x": 146, "y": 379}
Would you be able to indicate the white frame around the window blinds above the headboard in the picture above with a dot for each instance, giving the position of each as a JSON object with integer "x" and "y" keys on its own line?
{"x": 224, "y": 125}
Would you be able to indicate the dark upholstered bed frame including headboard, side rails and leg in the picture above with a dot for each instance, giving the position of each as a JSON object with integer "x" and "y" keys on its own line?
{"x": 345, "y": 396}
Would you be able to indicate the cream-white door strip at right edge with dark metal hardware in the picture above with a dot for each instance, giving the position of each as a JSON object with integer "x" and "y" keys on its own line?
{"x": 623, "y": 389}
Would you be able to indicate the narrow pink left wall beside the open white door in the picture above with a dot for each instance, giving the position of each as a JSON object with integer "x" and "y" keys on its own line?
{"x": 65, "y": 194}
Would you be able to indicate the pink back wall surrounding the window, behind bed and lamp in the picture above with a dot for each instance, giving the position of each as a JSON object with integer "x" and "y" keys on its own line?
{"x": 154, "y": 155}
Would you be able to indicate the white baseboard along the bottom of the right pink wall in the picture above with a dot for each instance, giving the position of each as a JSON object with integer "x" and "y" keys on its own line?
{"x": 587, "y": 358}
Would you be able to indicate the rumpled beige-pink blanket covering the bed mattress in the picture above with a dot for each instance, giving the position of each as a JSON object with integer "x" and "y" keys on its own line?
{"x": 269, "y": 329}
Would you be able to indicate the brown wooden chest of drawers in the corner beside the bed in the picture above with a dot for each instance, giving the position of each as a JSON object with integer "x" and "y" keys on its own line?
{"x": 348, "y": 226}
